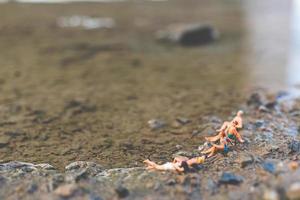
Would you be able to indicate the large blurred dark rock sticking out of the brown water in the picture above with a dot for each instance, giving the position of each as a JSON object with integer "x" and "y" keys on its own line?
{"x": 188, "y": 34}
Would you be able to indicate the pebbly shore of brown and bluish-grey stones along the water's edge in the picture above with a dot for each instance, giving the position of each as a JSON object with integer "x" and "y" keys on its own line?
{"x": 266, "y": 167}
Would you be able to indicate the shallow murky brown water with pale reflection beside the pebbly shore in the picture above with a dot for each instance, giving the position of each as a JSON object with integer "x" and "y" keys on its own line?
{"x": 74, "y": 94}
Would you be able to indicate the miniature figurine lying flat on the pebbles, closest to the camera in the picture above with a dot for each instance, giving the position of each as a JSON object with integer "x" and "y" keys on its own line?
{"x": 179, "y": 164}
